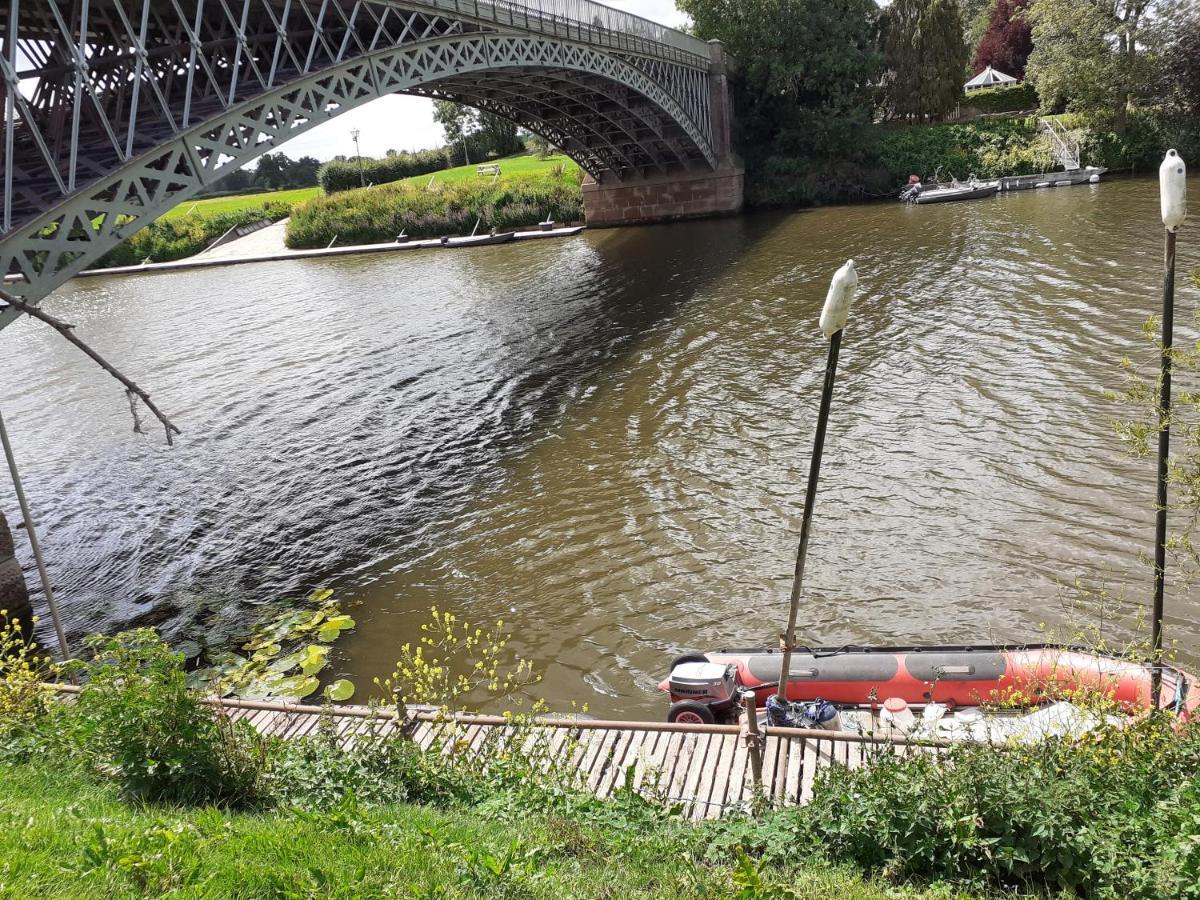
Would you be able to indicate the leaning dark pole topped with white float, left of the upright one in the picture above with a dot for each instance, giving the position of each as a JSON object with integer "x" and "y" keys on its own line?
{"x": 833, "y": 321}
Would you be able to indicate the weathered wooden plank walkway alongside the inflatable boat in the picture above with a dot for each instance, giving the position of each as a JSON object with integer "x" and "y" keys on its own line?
{"x": 704, "y": 769}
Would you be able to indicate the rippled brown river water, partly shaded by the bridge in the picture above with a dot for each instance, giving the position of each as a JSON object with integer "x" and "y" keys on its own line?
{"x": 604, "y": 441}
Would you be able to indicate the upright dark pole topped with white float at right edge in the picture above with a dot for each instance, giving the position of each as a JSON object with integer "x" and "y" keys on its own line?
{"x": 1173, "y": 188}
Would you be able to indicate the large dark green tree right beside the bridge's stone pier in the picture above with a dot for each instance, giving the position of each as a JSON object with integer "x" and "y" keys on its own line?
{"x": 803, "y": 91}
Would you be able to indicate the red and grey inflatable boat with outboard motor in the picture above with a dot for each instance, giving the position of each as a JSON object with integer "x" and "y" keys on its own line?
{"x": 951, "y": 676}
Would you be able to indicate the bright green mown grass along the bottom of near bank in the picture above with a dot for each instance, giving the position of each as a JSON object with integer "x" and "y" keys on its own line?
{"x": 62, "y": 836}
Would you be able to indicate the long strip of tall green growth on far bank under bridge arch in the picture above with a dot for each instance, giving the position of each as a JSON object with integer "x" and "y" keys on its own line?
{"x": 380, "y": 214}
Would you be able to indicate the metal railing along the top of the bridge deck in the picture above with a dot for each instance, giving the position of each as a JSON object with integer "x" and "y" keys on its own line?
{"x": 585, "y": 21}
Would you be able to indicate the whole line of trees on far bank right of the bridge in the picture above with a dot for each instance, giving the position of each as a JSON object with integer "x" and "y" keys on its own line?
{"x": 817, "y": 81}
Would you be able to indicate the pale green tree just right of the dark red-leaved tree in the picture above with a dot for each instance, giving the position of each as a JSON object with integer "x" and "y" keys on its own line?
{"x": 1091, "y": 56}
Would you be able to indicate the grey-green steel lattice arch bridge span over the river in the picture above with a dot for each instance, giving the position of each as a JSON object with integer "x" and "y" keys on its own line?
{"x": 116, "y": 111}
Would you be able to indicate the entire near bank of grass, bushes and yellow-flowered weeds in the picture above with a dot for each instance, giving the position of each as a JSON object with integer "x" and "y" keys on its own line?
{"x": 140, "y": 789}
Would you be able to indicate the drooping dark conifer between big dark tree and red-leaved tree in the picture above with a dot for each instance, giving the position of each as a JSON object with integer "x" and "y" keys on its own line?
{"x": 926, "y": 57}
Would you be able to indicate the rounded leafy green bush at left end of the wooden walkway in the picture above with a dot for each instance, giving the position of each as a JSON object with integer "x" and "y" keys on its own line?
{"x": 137, "y": 718}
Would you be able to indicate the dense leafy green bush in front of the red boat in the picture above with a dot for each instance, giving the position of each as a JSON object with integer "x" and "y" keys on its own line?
{"x": 1115, "y": 814}
